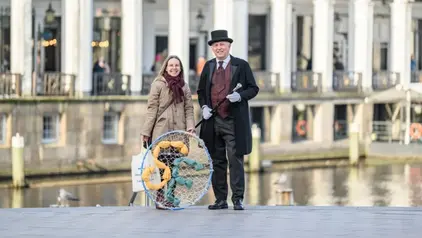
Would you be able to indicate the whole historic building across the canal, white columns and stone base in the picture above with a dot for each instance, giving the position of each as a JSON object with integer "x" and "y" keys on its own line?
{"x": 76, "y": 50}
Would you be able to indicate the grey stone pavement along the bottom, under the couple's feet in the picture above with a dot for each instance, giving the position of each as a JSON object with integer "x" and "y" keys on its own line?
{"x": 295, "y": 221}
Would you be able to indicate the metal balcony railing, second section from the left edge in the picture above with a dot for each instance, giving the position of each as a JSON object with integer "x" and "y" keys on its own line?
{"x": 53, "y": 84}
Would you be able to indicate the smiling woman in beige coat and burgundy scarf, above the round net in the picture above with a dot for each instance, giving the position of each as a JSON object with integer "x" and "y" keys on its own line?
{"x": 170, "y": 105}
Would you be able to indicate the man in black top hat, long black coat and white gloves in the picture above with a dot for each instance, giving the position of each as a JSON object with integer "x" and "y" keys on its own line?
{"x": 228, "y": 130}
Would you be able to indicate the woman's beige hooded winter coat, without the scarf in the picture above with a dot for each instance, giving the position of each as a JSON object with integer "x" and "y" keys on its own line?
{"x": 176, "y": 117}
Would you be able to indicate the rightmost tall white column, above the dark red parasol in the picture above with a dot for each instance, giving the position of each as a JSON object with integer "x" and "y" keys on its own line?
{"x": 401, "y": 29}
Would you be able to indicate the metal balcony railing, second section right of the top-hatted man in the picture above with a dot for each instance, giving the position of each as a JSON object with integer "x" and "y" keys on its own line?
{"x": 306, "y": 81}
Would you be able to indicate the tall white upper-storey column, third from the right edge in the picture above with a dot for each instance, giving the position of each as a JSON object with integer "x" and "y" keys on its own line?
{"x": 322, "y": 61}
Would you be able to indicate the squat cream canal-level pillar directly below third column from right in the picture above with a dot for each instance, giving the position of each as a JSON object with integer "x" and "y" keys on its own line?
{"x": 323, "y": 126}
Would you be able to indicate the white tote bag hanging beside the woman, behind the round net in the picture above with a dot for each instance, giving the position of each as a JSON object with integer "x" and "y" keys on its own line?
{"x": 138, "y": 167}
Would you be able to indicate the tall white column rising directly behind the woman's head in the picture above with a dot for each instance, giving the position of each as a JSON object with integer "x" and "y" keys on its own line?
{"x": 178, "y": 39}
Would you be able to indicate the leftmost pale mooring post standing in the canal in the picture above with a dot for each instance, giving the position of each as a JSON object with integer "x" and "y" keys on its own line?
{"x": 18, "y": 163}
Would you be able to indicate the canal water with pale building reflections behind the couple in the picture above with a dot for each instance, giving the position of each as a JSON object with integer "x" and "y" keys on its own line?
{"x": 386, "y": 185}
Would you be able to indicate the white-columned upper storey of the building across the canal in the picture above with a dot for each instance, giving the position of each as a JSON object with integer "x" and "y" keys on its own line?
{"x": 288, "y": 43}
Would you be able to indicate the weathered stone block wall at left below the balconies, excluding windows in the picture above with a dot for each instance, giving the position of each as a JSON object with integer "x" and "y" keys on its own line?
{"x": 81, "y": 128}
